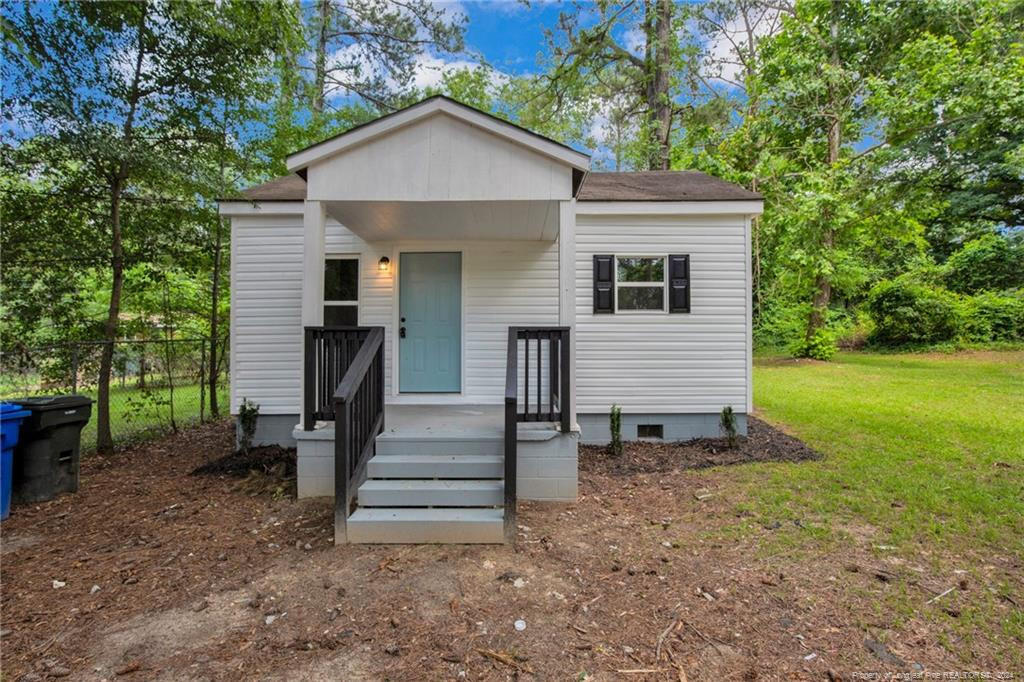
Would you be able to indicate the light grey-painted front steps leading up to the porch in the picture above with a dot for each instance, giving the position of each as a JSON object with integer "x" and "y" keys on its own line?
{"x": 432, "y": 486}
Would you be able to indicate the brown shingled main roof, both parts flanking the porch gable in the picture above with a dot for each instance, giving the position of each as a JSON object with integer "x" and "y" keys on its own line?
{"x": 620, "y": 187}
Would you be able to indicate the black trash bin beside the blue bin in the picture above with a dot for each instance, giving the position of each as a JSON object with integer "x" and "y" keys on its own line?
{"x": 47, "y": 458}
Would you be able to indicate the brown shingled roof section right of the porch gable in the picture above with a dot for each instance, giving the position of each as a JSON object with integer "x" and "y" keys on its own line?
{"x": 661, "y": 187}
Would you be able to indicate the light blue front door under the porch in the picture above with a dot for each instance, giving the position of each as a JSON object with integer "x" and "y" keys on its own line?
{"x": 431, "y": 323}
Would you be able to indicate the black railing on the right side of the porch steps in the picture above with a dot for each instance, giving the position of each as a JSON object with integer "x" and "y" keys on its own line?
{"x": 539, "y": 343}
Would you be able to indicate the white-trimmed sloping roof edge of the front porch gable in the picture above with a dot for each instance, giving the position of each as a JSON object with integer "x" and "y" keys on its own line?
{"x": 298, "y": 161}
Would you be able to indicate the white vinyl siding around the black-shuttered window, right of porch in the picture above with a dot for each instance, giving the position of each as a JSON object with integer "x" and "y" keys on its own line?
{"x": 652, "y": 362}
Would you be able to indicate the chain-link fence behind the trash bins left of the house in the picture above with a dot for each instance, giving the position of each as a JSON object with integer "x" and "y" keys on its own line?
{"x": 156, "y": 387}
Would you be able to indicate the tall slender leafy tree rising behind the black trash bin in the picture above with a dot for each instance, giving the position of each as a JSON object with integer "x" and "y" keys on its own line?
{"x": 127, "y": 90}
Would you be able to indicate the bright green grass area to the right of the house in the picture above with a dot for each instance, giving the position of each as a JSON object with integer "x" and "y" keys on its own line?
{"x": 921, "y": 449}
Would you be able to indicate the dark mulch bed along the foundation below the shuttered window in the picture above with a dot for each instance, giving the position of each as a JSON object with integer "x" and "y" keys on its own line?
{"x": 763, "y": 443}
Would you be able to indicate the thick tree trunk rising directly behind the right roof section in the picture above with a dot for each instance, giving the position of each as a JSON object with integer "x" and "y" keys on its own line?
{"x": 659, "y": 66}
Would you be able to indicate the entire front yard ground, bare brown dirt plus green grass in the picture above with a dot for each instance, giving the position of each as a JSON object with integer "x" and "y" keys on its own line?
{"x": 900, "y": 551}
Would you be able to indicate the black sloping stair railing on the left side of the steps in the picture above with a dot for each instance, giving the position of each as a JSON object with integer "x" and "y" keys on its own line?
{"x": 359, "y": 417}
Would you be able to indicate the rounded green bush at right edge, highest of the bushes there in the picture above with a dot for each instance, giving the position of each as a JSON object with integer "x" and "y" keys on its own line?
{"x": 992, "y": 263}
